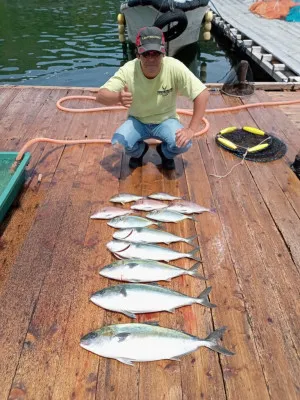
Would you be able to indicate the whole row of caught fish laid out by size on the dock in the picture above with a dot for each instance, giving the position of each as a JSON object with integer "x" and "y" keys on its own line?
{"x": 135, "y": 243}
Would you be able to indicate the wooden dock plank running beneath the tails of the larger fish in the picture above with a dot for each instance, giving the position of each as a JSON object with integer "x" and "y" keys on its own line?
{"x": 201, "y": 375}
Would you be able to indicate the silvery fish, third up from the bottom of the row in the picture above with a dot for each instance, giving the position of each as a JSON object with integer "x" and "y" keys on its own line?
{"x": 136, "y": 270}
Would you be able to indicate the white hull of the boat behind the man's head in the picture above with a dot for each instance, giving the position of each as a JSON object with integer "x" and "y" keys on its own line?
{"x": 140, "y": 16}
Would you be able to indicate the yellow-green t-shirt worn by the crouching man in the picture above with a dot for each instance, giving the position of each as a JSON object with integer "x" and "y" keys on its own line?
{"x": 154, "y": 100}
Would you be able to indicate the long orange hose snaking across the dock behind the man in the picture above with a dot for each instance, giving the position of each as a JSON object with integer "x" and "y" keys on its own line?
{"x": 121, "y": 108}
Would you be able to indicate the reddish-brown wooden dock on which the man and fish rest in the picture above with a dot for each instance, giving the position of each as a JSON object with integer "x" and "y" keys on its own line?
{"x": 51, "y": 252}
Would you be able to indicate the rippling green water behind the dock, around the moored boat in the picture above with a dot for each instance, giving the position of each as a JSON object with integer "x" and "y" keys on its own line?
{"x": 75, "y": 43}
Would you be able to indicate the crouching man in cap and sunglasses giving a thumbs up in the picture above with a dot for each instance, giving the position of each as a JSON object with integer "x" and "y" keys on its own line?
{"x": 148, "y": 87}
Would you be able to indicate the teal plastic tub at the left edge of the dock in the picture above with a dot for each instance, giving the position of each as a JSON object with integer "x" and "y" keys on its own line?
{"x": 10, "y": 183}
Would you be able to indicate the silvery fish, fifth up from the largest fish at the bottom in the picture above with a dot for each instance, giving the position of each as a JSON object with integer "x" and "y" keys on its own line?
{"x": 148, "y": 235}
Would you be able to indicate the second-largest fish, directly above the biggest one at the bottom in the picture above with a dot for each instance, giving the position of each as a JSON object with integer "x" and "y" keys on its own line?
{"x": 140, "y": 298}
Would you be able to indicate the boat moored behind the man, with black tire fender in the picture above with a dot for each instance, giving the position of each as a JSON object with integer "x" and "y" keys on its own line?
{"x": 179, "y": 20}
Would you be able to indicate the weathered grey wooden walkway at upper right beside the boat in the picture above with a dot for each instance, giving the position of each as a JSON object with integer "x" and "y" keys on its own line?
{"x": 272, "y": 44}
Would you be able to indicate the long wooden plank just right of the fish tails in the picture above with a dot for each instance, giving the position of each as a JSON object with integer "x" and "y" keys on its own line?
{"x": 240, "y": 371}
